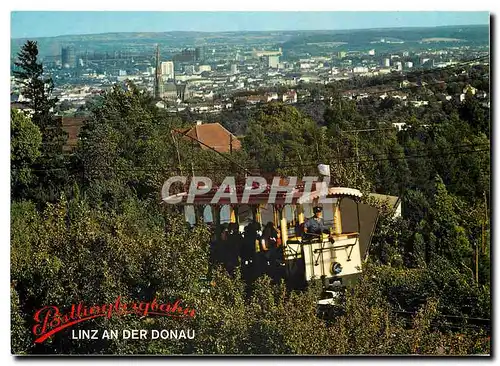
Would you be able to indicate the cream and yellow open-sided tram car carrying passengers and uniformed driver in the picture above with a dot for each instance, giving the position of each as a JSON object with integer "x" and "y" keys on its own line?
{"x": 240, "y": 232}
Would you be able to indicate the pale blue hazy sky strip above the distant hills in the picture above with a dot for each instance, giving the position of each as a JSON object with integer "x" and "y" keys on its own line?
{"x": 51, "y": 23}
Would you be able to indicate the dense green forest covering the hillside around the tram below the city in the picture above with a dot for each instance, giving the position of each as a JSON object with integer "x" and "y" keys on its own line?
{"x": 88, "y": 226}
